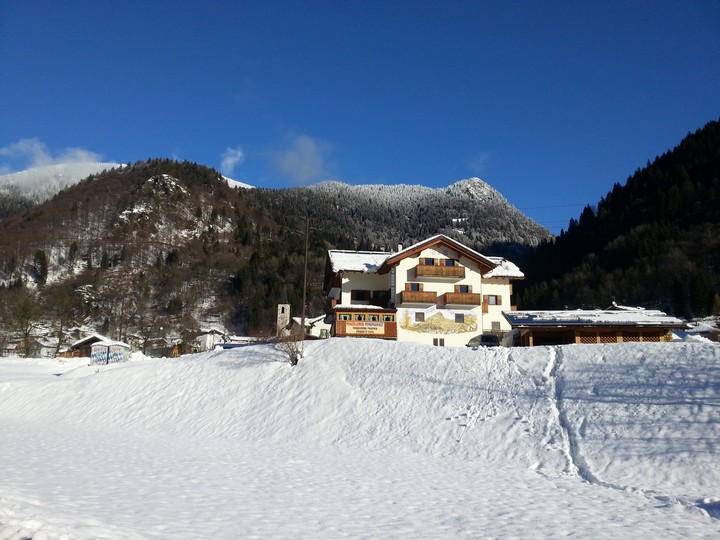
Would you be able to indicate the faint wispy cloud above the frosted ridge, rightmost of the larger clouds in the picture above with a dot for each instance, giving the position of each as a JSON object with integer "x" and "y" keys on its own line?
{"x": 304, "y": 160}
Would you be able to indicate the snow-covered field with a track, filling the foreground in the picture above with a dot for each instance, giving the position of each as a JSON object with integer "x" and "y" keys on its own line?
{"x": 366, "y": 439}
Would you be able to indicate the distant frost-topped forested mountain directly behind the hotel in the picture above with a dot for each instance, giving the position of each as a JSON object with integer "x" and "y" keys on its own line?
{"x": 381, "y": 216}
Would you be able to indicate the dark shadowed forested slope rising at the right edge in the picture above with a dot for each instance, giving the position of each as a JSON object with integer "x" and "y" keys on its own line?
{"x": 654, "y": 241}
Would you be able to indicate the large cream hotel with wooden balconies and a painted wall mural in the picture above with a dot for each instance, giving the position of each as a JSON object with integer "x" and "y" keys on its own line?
{"x": 438, "y": 292}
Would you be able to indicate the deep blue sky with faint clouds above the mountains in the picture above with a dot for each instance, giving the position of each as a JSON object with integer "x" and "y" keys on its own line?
{"x": 551, "y": 103}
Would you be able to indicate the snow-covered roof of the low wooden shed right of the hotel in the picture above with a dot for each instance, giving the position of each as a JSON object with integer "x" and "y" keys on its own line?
{"x": 600, "y": 317}
